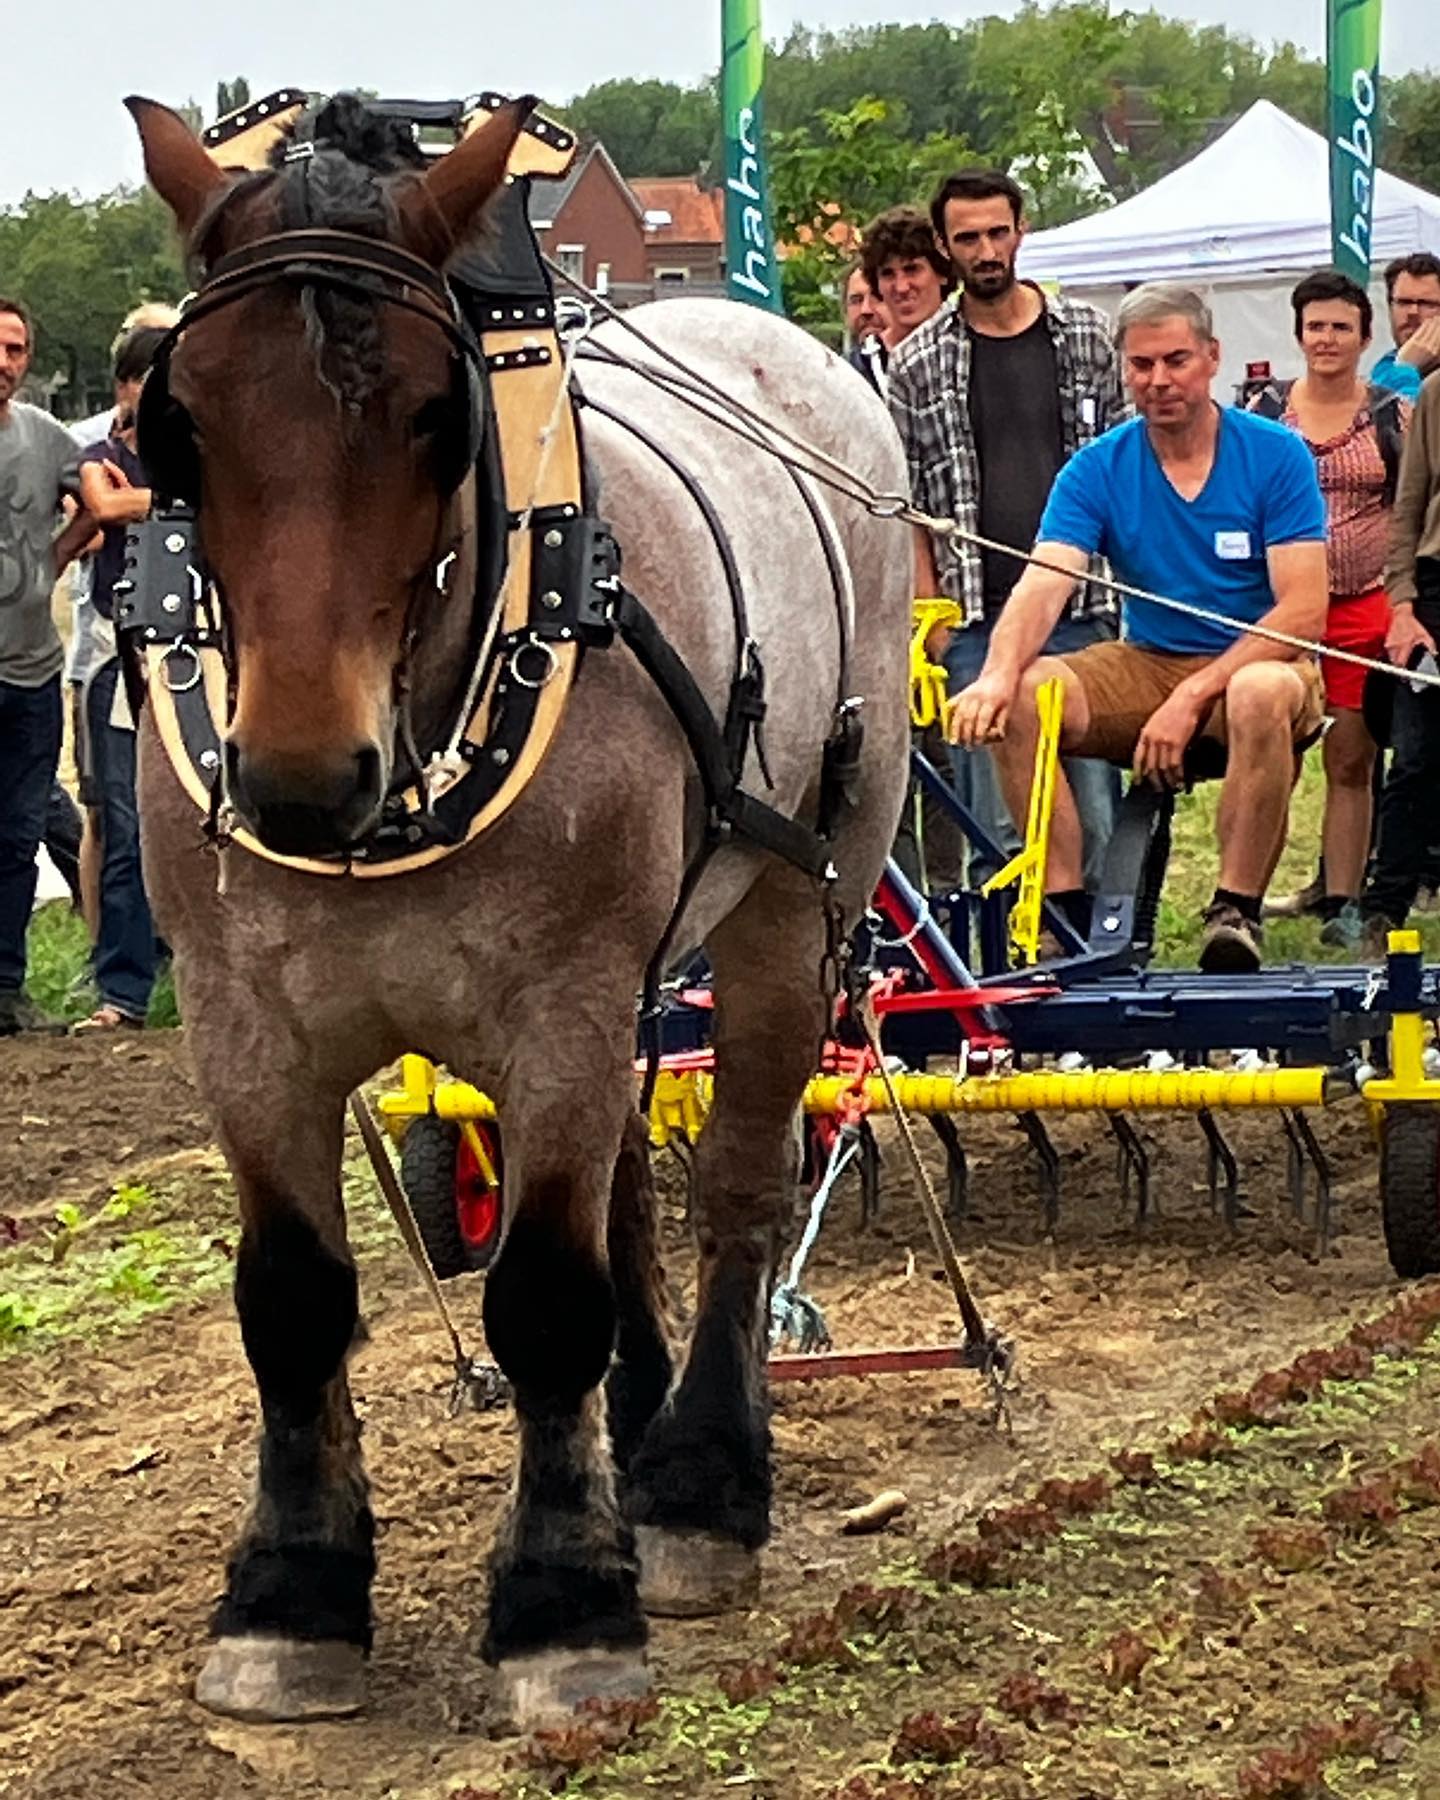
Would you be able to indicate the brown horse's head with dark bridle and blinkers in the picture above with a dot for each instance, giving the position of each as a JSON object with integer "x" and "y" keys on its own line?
{"x": 325, "y": 427}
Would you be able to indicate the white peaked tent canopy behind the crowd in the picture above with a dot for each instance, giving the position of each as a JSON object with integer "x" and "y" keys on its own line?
{"x": 1257, "y": 201}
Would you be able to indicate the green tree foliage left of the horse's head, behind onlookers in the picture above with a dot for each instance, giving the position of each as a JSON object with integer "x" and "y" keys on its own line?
{"x": 82, "y": 265}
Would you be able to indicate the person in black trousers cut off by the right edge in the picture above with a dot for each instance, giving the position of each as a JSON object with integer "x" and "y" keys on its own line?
{"x": 1410, "y": 805}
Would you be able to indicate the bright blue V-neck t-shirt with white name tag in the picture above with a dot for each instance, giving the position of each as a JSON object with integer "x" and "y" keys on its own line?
{"x": 1113, "y": 499}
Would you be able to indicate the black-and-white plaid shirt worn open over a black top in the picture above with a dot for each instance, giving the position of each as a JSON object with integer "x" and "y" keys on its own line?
{"x": 930, "y": 381}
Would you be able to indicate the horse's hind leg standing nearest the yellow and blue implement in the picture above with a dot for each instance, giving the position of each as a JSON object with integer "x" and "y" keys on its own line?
{"x": 699, "y": 1489}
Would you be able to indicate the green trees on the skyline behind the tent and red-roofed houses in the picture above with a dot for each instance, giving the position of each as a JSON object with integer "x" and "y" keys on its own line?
{"x": 1032, "y": 93}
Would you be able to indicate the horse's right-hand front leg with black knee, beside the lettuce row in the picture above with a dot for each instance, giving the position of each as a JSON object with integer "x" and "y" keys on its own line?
{"x": 566, "y": 1624}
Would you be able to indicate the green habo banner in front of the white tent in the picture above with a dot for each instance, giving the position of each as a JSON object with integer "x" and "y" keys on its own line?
{"x": 1354, "y": 55}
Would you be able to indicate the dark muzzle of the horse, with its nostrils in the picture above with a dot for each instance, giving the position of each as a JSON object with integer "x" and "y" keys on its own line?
{"x": 307, "y": 807}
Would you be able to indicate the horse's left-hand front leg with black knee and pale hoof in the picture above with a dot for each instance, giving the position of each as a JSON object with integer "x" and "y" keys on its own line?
{"x": 294, "y": 1628}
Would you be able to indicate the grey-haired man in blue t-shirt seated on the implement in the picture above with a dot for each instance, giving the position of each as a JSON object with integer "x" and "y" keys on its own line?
{"x": 1219, "y": 510}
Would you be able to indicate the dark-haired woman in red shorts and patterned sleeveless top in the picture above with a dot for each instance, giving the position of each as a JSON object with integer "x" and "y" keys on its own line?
{"x": 1356, "y": 435}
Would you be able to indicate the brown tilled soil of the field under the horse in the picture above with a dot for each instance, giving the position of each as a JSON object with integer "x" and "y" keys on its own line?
{"x": 127, "y": 1462}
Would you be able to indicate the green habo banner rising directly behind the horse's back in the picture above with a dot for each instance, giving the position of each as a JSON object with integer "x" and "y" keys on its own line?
{"x": 753, "y": 273}
